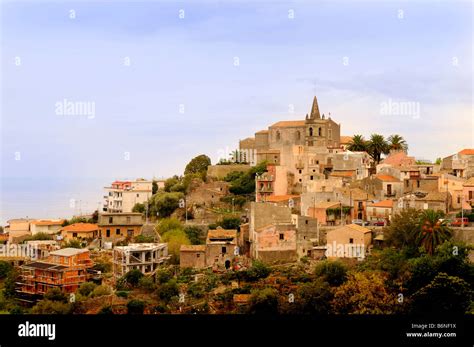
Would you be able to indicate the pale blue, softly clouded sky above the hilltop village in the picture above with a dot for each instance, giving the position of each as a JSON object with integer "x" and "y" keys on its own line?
{"x": 170, "y": 80}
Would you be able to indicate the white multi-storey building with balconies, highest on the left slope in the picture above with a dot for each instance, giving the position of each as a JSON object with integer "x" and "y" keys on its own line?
{"x": 121, "y": 196}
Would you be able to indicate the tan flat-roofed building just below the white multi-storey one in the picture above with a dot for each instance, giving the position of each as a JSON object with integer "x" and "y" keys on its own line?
{"x": 119, "y": 226}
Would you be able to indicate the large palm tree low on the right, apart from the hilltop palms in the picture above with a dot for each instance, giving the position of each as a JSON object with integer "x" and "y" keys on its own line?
{"x": 434, "y": 230}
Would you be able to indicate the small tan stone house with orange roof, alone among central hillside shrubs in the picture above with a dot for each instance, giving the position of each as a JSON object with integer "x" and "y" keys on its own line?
{"x": 221, "y": 247}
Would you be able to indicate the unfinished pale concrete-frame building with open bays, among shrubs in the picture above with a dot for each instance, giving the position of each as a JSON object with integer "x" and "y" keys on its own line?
{"x": 146, "y": 257}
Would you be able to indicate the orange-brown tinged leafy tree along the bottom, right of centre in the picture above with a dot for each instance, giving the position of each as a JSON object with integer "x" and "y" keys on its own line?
{"x": 364, "y": 293}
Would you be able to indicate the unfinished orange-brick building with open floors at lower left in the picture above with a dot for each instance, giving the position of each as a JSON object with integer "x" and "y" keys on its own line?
{"x": 65, "y": 269}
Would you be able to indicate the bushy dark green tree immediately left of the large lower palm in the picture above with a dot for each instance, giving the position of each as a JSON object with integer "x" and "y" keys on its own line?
{"x": 403, "y": 230}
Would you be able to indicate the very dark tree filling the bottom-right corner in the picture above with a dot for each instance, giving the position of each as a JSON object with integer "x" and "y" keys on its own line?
{"x": 444, "y": 295}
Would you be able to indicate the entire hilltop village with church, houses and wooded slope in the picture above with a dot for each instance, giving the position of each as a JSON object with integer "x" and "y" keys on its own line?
{"x": 299, "y": 219}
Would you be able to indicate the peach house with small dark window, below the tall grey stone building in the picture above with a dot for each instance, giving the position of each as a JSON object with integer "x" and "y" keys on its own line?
{"x": 276, "y": 243}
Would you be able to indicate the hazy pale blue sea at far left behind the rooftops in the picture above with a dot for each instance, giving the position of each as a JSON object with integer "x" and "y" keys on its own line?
{"x": 50, "y": 197}
